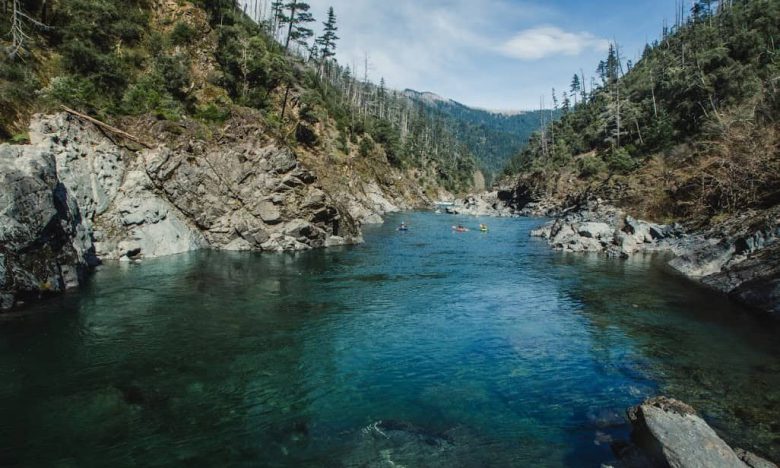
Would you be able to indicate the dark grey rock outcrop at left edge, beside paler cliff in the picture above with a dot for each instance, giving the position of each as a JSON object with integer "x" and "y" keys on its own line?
{"x": 44, "y": 246}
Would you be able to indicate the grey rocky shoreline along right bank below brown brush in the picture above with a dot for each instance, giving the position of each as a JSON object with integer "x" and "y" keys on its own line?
{"x": 740, "y": 257}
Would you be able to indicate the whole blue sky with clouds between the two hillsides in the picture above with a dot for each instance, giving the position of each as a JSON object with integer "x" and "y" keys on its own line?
{"x": 492, "y": 54}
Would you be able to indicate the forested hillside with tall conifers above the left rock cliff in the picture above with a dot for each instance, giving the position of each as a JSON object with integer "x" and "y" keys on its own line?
{"x": 203, "y": 61}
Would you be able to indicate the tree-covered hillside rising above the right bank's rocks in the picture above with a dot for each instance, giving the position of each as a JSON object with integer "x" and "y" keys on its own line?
{"x": 692, "y": 125}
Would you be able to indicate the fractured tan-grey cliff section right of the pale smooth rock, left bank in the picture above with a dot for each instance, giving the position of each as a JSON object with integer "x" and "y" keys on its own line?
{"x": 245, "y": 197}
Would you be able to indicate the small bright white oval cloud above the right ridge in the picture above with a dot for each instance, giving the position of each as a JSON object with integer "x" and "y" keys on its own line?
{"x": 546, "y": 41}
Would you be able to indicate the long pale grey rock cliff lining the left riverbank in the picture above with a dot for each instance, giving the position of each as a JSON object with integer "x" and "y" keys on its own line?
{"x": 74, "y": 197}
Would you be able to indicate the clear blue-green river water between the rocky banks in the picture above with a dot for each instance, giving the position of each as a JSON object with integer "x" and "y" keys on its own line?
{"x": 425, "y": 348}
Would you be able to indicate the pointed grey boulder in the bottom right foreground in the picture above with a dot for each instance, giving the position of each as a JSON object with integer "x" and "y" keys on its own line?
{"x": 667, "y": 432}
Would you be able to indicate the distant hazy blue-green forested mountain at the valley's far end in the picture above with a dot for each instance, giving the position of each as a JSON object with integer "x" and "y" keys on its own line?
{"x": 493, "y": 137}
